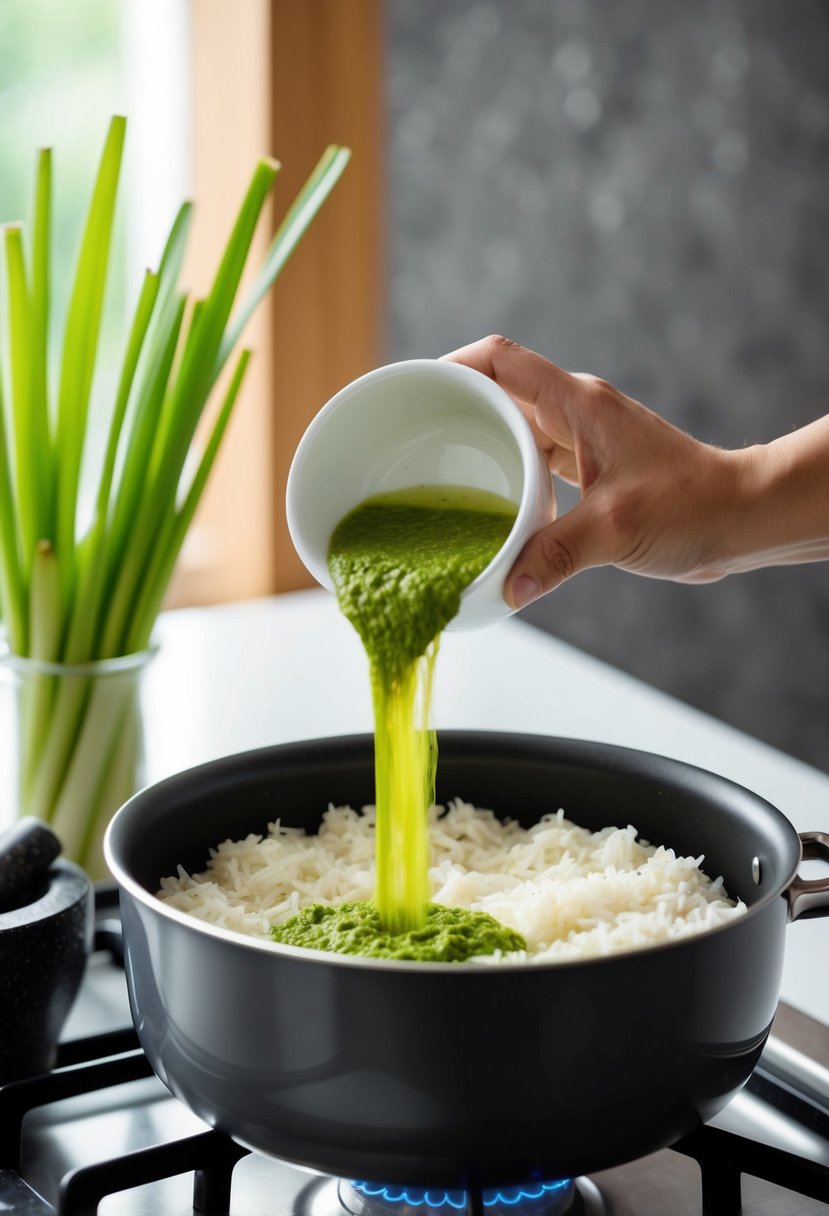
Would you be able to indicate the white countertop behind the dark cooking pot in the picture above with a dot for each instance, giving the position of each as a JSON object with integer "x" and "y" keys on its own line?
{"x": 264, "y": 672}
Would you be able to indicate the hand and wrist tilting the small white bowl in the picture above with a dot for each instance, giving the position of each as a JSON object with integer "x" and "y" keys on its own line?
{"x": 653, "y": 500}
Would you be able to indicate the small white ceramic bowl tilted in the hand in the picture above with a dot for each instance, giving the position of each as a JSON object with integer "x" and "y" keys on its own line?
{"x": 421, "y": 423}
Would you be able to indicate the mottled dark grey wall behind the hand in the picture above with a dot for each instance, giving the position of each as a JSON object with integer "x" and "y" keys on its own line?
{"x": 639, "y": 190}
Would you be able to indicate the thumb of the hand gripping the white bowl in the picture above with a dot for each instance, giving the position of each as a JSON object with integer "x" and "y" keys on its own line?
{"x": 557, "y": 553}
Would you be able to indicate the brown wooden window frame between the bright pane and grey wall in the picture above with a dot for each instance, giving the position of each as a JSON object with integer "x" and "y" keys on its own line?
{"x": 287, "y": 78}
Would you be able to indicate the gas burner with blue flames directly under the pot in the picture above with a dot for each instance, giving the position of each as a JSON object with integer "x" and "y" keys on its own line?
{"x": 569, "y": 1197}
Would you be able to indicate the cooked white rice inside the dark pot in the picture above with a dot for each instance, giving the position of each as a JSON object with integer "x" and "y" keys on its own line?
{"x": 569, "y": 892}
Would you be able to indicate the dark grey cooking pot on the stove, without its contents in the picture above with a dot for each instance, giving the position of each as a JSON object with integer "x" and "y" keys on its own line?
{"x": 458, "y": 1074}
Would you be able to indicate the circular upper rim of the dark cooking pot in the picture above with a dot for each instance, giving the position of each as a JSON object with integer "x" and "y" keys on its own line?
{"x": 302, "y": 954}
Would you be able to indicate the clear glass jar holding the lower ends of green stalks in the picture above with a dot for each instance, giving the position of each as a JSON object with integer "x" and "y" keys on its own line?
{"x": 72, "y": 746}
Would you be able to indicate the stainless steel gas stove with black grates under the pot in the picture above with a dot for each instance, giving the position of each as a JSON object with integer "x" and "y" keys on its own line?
{"x": 101, "y": 1134}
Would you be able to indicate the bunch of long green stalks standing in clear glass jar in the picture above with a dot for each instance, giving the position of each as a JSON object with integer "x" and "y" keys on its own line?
{"x": 78, "y": 601}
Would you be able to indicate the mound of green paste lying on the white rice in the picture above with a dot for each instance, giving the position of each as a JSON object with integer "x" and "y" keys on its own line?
{"x": 449, "y": 936}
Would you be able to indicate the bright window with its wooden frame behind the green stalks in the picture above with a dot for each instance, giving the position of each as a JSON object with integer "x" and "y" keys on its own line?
{"x": 208, "y": 87}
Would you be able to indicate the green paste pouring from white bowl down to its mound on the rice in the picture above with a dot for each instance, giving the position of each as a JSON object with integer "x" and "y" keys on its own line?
{"x": 401, "y": 562}
